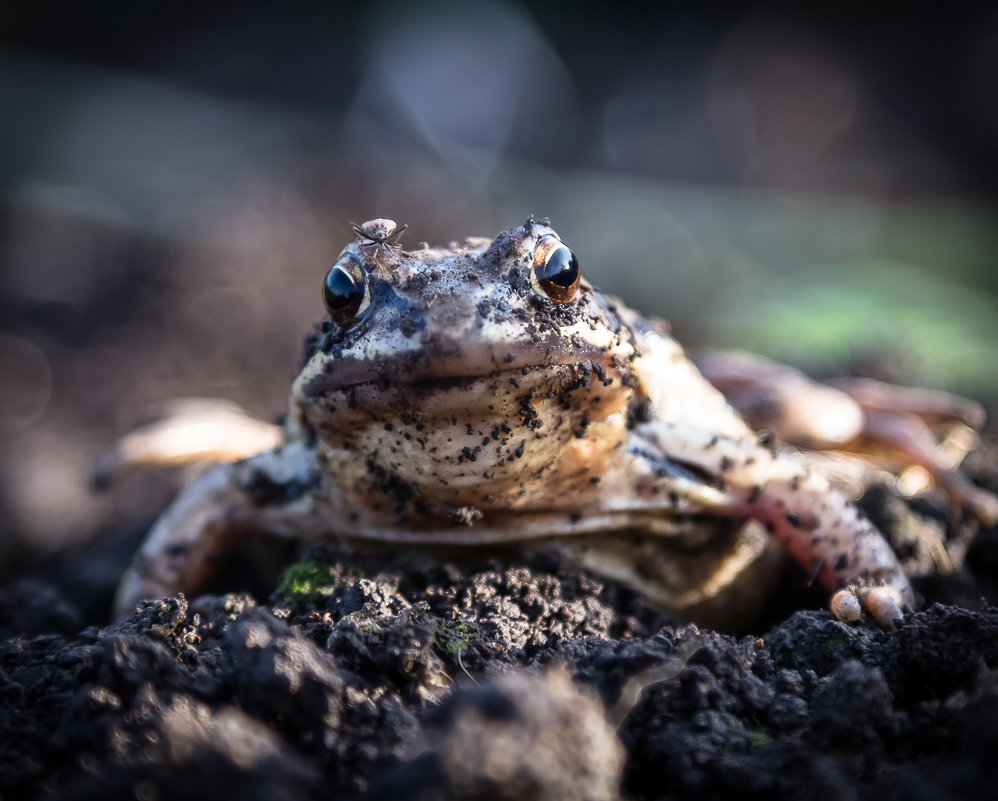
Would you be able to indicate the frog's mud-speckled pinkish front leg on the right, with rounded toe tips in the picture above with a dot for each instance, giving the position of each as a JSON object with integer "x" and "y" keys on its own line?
{"x": 817, "y": 525}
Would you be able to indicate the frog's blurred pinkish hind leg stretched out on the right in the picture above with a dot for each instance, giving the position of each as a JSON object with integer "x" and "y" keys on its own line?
{"x": 903, "y": 426}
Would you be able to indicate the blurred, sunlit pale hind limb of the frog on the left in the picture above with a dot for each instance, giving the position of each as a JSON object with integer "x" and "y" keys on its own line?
{"x": 185, "y": 431}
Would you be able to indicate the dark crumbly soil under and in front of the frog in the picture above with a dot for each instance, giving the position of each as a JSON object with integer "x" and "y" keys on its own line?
{"x": 405, "y": 676}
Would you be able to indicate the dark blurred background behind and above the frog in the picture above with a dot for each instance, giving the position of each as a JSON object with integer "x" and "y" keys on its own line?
{"x": 176, "y": 177}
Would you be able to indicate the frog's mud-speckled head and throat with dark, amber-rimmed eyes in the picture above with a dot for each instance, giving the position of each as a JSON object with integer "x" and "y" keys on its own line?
{"x": 468, "y": 374}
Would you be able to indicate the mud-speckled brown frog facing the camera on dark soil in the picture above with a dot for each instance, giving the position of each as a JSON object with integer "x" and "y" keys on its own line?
{"x": 486, "y": 394}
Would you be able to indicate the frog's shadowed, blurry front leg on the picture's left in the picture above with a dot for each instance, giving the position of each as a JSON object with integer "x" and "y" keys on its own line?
{"x": 270, "y": 492}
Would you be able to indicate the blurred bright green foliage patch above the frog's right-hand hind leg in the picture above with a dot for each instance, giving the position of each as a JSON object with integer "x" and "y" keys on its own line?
{"x": 942, "y": 332}
